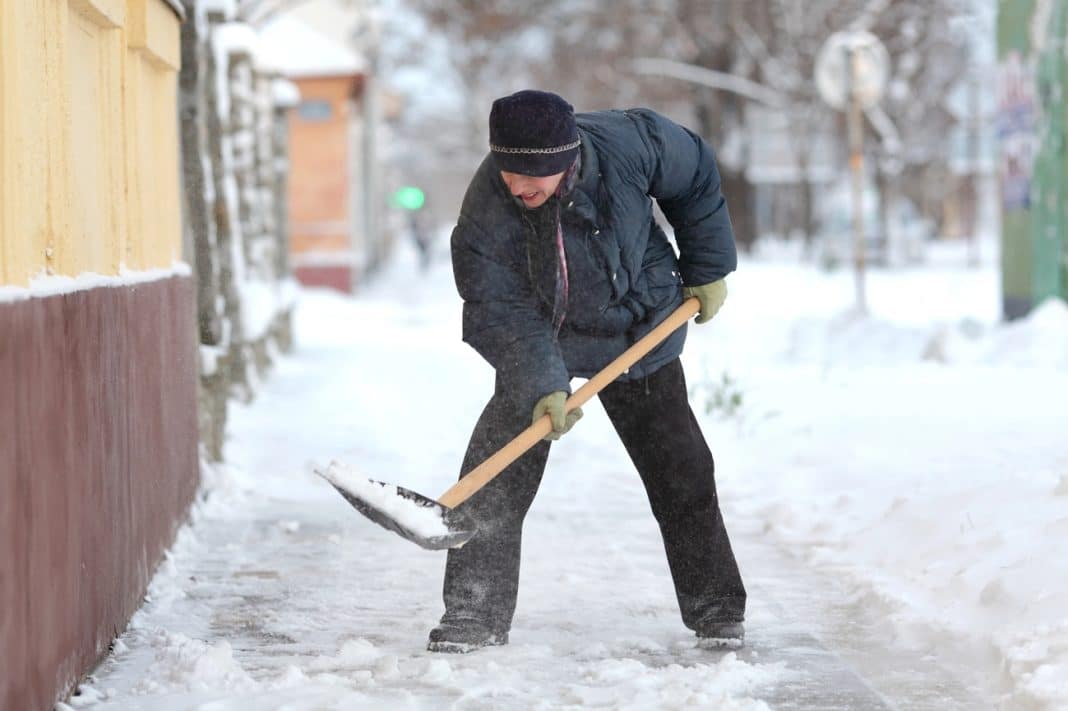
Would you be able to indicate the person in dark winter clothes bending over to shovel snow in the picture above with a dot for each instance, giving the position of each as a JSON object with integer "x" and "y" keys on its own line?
{"x": 562, "y": 267}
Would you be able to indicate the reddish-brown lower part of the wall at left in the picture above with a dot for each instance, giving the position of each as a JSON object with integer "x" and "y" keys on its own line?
{"x": 99, "y": 466}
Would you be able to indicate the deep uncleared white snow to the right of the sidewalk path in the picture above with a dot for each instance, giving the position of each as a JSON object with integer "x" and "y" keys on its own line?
{"x": 919, "y": 451}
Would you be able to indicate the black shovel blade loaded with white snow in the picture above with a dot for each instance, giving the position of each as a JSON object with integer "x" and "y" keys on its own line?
{"x": 412, "y": 515}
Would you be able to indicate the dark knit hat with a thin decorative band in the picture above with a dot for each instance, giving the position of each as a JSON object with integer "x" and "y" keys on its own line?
{"x": 533, "y": 133}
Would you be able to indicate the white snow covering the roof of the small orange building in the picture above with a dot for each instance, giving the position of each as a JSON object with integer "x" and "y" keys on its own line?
{"x": 295, "y": 50}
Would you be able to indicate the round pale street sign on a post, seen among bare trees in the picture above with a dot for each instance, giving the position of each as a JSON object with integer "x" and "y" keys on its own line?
{"x": 871, "y": 69}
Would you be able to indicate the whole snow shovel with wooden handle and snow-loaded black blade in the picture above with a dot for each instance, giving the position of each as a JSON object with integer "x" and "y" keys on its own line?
{"x": 437, "y": 525}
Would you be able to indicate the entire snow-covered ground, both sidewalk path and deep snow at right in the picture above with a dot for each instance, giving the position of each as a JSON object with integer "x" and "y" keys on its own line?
{"x": 897, "y": 487}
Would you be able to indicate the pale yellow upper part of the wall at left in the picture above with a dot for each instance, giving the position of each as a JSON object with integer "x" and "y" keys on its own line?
{"x": 89, "y": 144}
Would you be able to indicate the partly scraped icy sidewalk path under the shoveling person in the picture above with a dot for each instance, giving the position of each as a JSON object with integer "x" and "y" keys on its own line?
{"x": 282, "y": 596}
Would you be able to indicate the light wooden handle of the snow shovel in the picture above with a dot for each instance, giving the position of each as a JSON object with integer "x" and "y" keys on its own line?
{"x": 482, "y": 475}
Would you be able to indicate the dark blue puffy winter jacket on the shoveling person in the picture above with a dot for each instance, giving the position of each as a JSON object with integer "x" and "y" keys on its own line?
{"x": 625, "y": 277}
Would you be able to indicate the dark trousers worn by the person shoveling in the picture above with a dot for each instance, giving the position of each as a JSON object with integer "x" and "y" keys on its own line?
{"x": 654, "y": 420}
